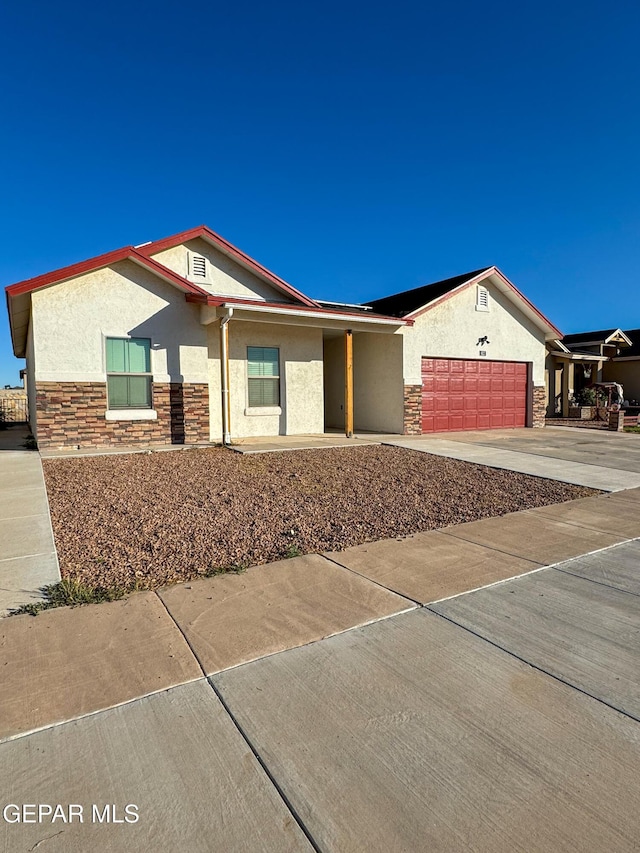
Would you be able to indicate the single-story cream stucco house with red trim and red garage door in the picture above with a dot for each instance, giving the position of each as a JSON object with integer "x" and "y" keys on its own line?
{"x": 189, "y": 340}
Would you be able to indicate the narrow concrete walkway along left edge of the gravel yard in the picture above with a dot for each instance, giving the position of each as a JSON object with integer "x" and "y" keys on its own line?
{"x": 28, "y": 559}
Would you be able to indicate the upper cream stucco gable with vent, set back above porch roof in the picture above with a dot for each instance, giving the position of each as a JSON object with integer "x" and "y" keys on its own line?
{"x": 224, "y": 276}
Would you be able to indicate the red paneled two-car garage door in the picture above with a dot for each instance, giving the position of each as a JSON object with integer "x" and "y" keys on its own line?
{"x": 458, "y": 394}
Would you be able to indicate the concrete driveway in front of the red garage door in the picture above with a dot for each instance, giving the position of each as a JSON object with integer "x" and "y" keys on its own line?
{"x": 603, "y": 460}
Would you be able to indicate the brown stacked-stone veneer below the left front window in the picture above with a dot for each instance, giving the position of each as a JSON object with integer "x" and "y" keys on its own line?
{"x": 73, "y": 414}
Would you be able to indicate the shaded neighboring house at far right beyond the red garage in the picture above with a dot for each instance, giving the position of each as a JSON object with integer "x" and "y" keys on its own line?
{"x": 606, "y": 355}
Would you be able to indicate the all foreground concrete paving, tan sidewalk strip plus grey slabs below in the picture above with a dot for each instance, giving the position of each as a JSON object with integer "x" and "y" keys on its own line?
{"x": 314, "y": 704}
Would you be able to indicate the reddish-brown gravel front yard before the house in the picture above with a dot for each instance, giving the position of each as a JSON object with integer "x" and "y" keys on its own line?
{"x": 150, "y": 519}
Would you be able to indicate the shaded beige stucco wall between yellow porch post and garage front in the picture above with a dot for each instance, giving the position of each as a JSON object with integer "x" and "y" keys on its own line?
{"x": 377, "y": 382}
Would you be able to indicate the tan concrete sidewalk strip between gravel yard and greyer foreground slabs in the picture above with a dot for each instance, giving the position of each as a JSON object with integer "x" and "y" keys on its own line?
{"x": 202, "y": 627}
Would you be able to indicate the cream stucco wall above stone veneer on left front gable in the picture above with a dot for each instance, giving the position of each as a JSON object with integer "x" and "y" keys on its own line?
{"x": 71, "y": 321}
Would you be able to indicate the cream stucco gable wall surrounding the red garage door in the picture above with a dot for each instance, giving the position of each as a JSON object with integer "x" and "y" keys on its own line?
{"x": 452, "y": 329}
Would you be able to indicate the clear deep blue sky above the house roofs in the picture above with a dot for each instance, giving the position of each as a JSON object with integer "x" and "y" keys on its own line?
{"x": 356, "y": 149}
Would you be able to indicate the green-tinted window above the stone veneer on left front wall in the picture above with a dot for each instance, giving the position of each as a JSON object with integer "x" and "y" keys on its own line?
{"x": 129, "y": 373}
